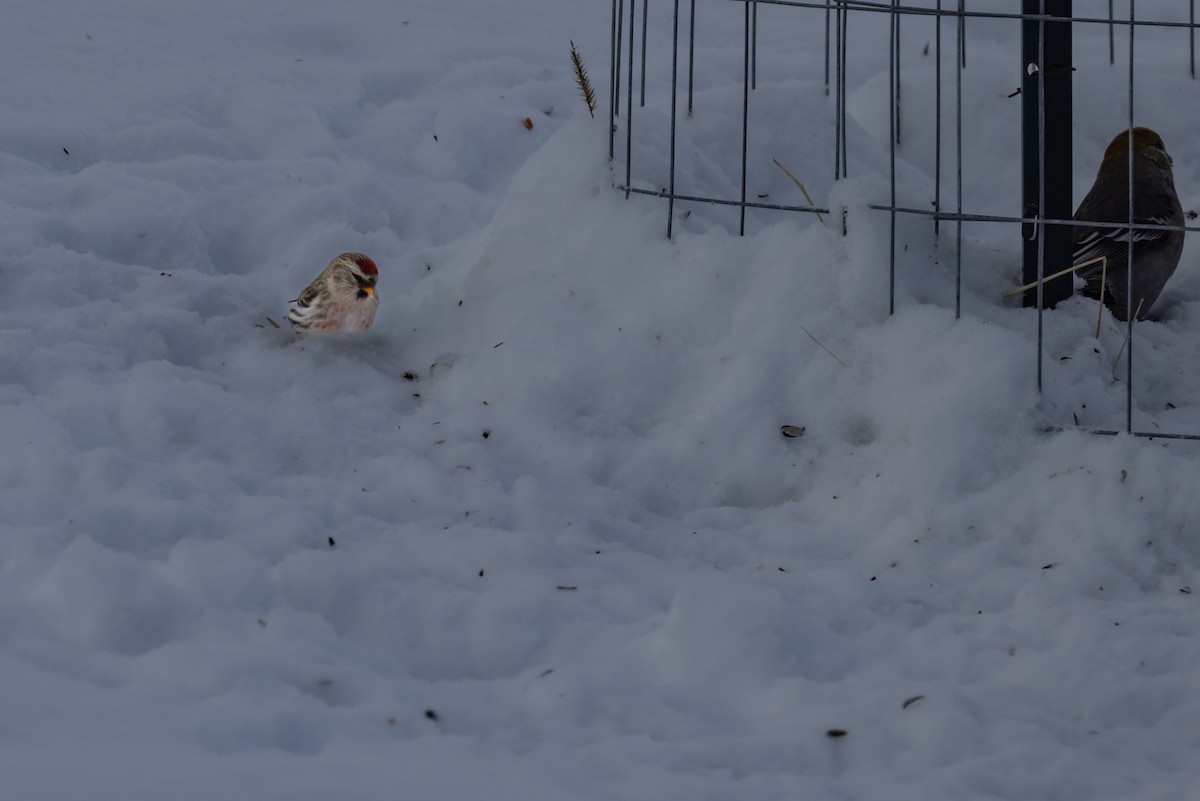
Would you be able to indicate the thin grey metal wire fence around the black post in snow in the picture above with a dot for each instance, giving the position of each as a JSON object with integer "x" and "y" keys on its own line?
{"x": 839, "y": 21}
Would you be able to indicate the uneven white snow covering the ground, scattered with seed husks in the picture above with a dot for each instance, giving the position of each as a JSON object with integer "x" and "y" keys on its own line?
{"x": 537, "y": 534}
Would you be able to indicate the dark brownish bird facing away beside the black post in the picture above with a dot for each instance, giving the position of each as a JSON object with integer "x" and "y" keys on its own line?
{"x": 1156, "y": 252}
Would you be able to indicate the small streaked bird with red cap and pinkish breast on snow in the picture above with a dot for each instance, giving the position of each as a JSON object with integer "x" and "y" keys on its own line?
{"x": 341, "y": 299}
